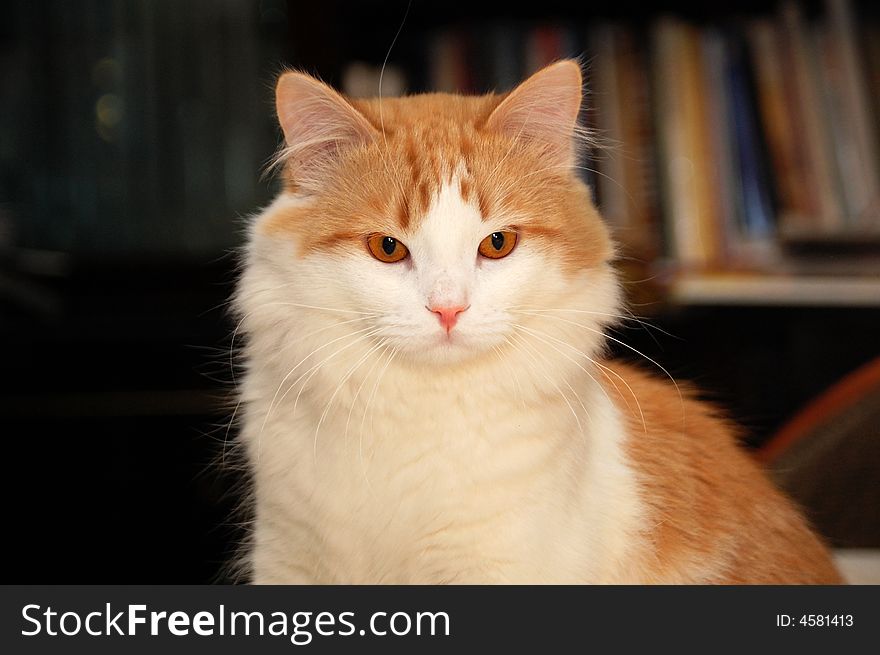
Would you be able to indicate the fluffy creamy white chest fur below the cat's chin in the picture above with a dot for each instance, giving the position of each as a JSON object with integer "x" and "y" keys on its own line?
{"x": 451, "y": 479}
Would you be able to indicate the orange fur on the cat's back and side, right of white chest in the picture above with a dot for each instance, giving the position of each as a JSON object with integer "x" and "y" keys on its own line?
{"x": 711, "y": 507}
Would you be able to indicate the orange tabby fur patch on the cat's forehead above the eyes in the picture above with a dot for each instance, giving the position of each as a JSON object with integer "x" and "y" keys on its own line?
{"x": 424, "y": 142}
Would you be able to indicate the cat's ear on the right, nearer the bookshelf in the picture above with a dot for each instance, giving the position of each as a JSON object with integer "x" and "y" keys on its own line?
{"x": 544, "y": 110}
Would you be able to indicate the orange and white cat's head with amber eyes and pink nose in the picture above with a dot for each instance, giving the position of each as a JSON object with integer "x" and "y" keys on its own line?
{"x": 450, "y": 225}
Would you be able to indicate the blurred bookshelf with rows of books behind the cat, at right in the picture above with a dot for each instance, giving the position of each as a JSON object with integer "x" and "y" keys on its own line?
{"x": 737, "y": 154}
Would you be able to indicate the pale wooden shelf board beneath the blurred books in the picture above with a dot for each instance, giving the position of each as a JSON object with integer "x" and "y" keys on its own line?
{"x": 744, "y": 289}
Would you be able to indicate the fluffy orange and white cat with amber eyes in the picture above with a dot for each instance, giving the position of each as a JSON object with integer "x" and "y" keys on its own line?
{"x": 426, "y": 396}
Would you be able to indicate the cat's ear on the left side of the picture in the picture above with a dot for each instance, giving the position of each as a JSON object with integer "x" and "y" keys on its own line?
{"x": 318, "y": 123}
